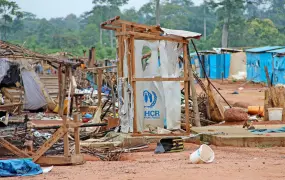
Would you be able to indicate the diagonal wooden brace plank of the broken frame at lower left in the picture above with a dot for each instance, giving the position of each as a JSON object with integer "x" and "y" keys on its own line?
{"x": 49, "y": 143}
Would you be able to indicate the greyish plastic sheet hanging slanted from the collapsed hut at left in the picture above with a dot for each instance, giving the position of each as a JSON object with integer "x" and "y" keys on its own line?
{"x": 34, "y": 98}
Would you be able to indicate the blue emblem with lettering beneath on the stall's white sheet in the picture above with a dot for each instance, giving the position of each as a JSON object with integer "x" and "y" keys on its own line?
{"x": 150, "y": 99}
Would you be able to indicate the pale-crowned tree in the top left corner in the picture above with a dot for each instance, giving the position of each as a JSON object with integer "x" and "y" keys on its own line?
{"x": 9, "y": 10}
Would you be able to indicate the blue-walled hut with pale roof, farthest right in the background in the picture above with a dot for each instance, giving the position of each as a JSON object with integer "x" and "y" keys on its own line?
{"x": 257, "y": 59}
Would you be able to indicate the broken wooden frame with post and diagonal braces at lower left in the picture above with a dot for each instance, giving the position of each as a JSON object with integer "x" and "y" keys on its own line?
{"x": 63, "y": 131}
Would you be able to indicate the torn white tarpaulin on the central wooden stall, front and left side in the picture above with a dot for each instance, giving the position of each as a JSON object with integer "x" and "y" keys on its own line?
{"x": 158, "y": 103}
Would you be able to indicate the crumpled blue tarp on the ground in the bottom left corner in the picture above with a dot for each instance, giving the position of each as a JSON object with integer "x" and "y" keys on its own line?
{"x": 19, "y": 167}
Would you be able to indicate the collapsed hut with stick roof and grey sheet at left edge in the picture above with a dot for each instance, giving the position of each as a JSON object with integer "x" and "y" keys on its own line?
{"x": 17, "y": 68}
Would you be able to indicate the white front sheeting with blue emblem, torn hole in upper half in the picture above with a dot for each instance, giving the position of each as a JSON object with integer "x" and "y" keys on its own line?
{"x": 158, "y": 102}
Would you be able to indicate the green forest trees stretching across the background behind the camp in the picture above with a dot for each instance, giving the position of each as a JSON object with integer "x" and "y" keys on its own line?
{"x": 251, "y": 23}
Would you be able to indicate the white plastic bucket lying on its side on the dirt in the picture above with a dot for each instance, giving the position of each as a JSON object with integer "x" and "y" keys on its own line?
{"x": 202, "y": 155}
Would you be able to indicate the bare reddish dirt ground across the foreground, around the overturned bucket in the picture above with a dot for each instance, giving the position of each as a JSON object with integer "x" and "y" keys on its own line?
{"x": 230, "y": 164}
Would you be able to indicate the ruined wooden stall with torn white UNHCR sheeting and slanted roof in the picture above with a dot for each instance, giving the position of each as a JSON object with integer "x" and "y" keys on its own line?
{"x": 144, "y": 93}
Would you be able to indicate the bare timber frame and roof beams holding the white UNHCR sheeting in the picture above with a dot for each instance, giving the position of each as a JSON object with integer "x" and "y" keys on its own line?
{"x": 129, "y": 32}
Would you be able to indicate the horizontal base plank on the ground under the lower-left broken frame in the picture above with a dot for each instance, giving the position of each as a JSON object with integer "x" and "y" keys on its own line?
{"x": 60, "y": 161}
